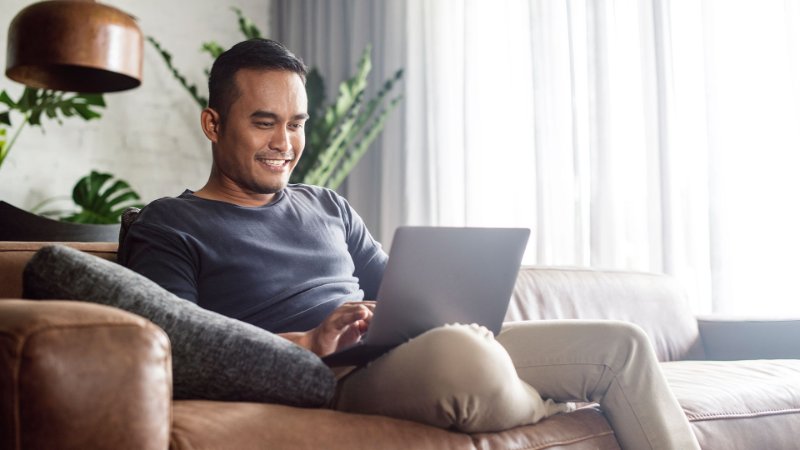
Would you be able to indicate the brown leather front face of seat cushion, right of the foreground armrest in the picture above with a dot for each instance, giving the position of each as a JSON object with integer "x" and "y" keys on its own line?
{"x": 212, "y": 425}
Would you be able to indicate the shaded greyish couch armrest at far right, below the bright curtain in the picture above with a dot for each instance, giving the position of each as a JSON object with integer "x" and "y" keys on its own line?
{"x": 743, "y": 339}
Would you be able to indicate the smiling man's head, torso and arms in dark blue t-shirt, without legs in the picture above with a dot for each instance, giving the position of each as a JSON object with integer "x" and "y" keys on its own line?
{"x": 286, "y": 258}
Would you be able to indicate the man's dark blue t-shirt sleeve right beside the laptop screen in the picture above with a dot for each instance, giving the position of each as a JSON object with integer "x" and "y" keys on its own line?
{"x": 368, "y": 255}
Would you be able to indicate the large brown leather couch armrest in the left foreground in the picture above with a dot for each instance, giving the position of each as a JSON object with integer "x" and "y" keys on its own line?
{"x": 80, "y": 375}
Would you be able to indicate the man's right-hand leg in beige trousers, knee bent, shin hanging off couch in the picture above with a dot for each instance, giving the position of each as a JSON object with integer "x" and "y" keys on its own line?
{"x": 608, "y": 362}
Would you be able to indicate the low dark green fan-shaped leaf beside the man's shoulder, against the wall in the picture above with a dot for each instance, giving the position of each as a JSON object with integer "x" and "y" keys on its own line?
{"x": 100, "y": 199}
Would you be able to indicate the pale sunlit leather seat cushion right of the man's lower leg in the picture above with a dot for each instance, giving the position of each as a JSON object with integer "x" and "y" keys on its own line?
{"x": 739, "y": 404}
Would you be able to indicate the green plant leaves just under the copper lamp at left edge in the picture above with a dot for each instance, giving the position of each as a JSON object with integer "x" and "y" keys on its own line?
{"x": 36, "y": 104}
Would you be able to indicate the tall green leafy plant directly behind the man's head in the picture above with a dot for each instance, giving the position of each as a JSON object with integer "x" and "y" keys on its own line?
{"x": 337, "y": 135}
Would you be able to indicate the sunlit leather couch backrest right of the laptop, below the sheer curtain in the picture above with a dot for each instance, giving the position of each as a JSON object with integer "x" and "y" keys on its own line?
{"x": 655, "y": 302}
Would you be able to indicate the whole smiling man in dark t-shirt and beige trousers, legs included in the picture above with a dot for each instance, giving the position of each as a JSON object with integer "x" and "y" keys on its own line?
{"x": 297, "y": 260}
